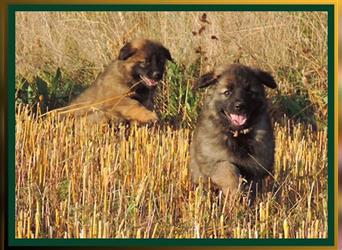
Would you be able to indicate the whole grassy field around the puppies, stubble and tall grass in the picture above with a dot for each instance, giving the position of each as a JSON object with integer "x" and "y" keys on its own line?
{"x": 74, "y": 180}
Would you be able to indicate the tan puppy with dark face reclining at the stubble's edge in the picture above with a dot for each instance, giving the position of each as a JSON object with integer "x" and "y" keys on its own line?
{"x": 125, "y": 90}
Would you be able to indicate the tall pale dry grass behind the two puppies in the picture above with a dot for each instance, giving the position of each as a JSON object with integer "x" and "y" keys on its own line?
{"x": 89, "y": 40}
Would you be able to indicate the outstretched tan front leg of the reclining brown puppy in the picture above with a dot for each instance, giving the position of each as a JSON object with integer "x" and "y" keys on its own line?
{"x": 133, "y": 110}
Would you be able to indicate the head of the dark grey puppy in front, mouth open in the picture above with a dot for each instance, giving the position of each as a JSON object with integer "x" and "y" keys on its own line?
{"x": 237, "y": 95}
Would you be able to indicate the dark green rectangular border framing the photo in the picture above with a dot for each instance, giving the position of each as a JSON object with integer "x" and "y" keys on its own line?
{"x": 12, "y": 241}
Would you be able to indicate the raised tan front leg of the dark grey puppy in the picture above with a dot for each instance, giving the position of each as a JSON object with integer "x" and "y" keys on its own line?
{"x": 226, "y": 177}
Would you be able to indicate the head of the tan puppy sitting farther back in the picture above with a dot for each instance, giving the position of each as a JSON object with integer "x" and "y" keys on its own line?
{"x": 145, "y": 60}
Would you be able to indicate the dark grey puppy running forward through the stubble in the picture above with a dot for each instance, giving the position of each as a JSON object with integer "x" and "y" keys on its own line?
{"x": 234, "y": 134}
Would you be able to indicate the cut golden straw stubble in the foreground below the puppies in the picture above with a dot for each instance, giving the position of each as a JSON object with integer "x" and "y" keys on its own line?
{"x": 120, "y": 183}
